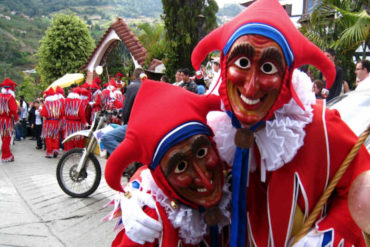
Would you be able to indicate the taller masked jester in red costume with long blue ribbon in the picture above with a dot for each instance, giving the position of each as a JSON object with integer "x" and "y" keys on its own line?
{"x": 288, "y": 146}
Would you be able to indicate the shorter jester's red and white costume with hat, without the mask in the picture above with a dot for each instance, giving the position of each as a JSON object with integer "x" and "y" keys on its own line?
{"x": 182, "y": 225}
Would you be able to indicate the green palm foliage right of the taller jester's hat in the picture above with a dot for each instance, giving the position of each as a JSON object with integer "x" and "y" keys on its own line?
{"x": 342, "y": 25}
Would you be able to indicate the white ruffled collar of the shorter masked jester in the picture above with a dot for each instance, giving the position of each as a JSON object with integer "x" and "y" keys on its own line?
{"x": 189, "y": 222}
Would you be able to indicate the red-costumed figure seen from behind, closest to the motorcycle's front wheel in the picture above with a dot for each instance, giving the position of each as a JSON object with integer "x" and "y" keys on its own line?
{"x": 74, "y": 115}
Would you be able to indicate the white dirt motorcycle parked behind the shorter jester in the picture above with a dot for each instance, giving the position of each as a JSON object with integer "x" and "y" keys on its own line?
{"x": 78, "y": 171}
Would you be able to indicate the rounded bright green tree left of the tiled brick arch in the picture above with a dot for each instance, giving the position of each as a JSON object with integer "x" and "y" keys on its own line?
{"x": 65, "y": 47}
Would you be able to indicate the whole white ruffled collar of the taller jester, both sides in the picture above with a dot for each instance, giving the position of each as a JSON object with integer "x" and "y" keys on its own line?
{"x": 281, "y": 138}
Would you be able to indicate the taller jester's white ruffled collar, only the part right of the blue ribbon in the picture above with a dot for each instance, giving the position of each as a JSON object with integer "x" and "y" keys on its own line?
{"x": 282, "y": 137}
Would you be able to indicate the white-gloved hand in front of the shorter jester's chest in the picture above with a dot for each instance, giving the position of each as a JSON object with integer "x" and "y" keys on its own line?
{"x": 139, "y": 227}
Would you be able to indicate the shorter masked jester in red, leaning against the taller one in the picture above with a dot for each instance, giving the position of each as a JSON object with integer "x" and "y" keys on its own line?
{"x": 181, "y": 183}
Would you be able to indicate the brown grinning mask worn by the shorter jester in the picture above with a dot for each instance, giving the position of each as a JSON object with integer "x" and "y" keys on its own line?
{"x": 194, "y": 170}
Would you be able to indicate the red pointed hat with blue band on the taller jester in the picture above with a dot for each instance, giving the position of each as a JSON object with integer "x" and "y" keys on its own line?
{"x": 267, "y": 18}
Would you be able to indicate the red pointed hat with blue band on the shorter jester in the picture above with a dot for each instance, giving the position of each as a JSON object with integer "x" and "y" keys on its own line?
{"x": 162, "y": 116}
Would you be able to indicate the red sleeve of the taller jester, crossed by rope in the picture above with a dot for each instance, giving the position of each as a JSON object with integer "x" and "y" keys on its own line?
{"x": 341, "y": 140}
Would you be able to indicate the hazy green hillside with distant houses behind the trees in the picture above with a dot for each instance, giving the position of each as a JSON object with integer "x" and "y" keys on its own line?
{"x": 23, "y": 24}
